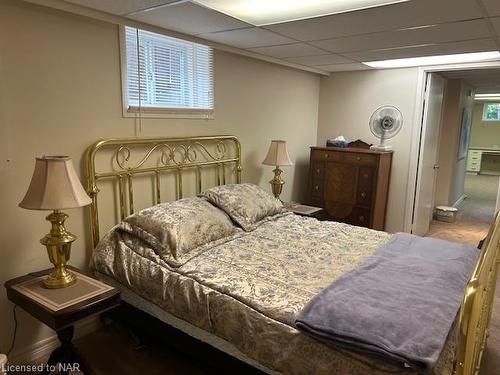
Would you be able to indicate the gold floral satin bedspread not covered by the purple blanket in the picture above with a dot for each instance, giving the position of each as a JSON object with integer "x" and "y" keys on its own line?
{"x": 248, "y": 289}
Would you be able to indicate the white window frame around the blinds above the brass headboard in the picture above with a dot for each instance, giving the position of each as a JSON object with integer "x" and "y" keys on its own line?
{"x": 157, "y": 112}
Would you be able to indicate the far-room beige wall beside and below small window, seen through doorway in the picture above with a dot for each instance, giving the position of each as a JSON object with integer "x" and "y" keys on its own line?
{"x": 484, "y": 133}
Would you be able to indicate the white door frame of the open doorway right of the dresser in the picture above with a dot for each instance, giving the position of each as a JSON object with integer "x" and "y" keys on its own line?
{"x": 418, "y": 129}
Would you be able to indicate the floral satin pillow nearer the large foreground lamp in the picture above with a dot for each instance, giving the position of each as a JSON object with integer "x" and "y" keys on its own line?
{"x": 180, "y": 230}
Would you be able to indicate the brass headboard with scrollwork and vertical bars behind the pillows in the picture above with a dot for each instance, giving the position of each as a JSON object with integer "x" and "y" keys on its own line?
{"x": 123, "y": 160}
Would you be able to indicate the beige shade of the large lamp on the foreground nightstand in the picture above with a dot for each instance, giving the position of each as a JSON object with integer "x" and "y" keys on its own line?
{"x": 54, "y": 186}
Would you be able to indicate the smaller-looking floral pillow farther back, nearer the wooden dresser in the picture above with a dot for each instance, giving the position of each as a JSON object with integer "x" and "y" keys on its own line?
{"x": 246, "y": 204}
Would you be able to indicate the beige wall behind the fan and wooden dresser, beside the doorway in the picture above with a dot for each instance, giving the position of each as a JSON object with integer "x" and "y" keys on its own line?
{"x": 347, "y": 100}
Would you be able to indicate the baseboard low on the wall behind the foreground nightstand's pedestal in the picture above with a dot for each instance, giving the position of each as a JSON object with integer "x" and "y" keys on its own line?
{"x": 43, "y": 348}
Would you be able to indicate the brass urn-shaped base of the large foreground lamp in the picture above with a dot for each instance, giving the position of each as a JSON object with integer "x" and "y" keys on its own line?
{"x": 58, "y": 243}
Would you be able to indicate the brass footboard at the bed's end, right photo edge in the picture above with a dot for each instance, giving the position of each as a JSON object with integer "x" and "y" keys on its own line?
{"x": 475, "y": 313}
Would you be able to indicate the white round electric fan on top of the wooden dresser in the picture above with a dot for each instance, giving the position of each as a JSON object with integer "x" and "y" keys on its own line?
{"x": 385, "y": 123}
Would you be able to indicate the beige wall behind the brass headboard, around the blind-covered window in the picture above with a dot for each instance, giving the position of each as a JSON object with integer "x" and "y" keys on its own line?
{"x": 60, "y": 75}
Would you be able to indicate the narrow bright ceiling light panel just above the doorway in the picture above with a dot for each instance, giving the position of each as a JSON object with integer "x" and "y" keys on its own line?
{"x": 435, "y": 60}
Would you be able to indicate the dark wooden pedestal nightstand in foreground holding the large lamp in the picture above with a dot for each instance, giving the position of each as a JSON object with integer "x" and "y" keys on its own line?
{"x": 60, "y": 309}
